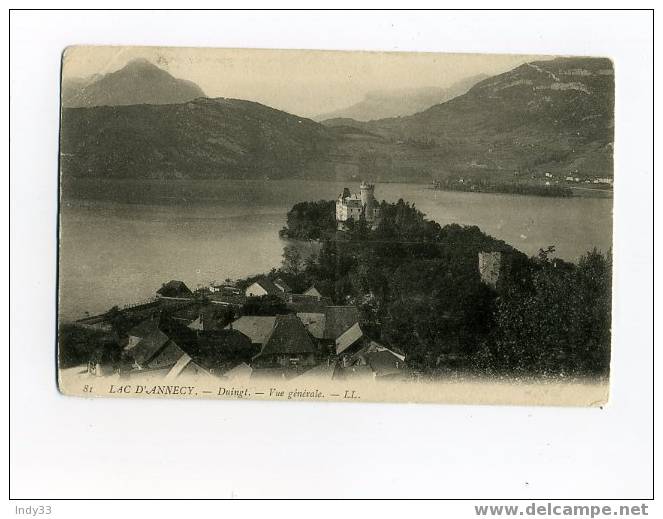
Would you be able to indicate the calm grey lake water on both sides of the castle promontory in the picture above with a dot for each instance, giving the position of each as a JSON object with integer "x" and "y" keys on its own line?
{"x": 120, "y": 240}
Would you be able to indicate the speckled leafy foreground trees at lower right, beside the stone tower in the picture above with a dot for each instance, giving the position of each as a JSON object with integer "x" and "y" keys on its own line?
{"x": 562, "y": 325}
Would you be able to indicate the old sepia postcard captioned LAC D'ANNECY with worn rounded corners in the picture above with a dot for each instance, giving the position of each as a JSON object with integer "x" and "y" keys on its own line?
{"x": 335, "y": 226}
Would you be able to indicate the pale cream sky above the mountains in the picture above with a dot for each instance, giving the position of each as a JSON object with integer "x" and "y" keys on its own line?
{"x": 302, "y": 82}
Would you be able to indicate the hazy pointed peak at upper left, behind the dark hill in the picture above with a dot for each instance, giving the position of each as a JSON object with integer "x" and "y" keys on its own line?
{"x": 138, "y": 82}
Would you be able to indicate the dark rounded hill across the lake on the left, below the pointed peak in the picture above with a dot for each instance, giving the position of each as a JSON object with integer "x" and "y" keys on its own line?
{"x": 221, "y": 138}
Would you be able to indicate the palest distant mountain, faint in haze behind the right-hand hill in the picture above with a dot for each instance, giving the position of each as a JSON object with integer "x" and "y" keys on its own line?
{"x": 398, "y": 103}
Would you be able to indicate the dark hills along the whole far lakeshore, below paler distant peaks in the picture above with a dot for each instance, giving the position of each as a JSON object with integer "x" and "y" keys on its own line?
{"x": 545, "y": 116}
